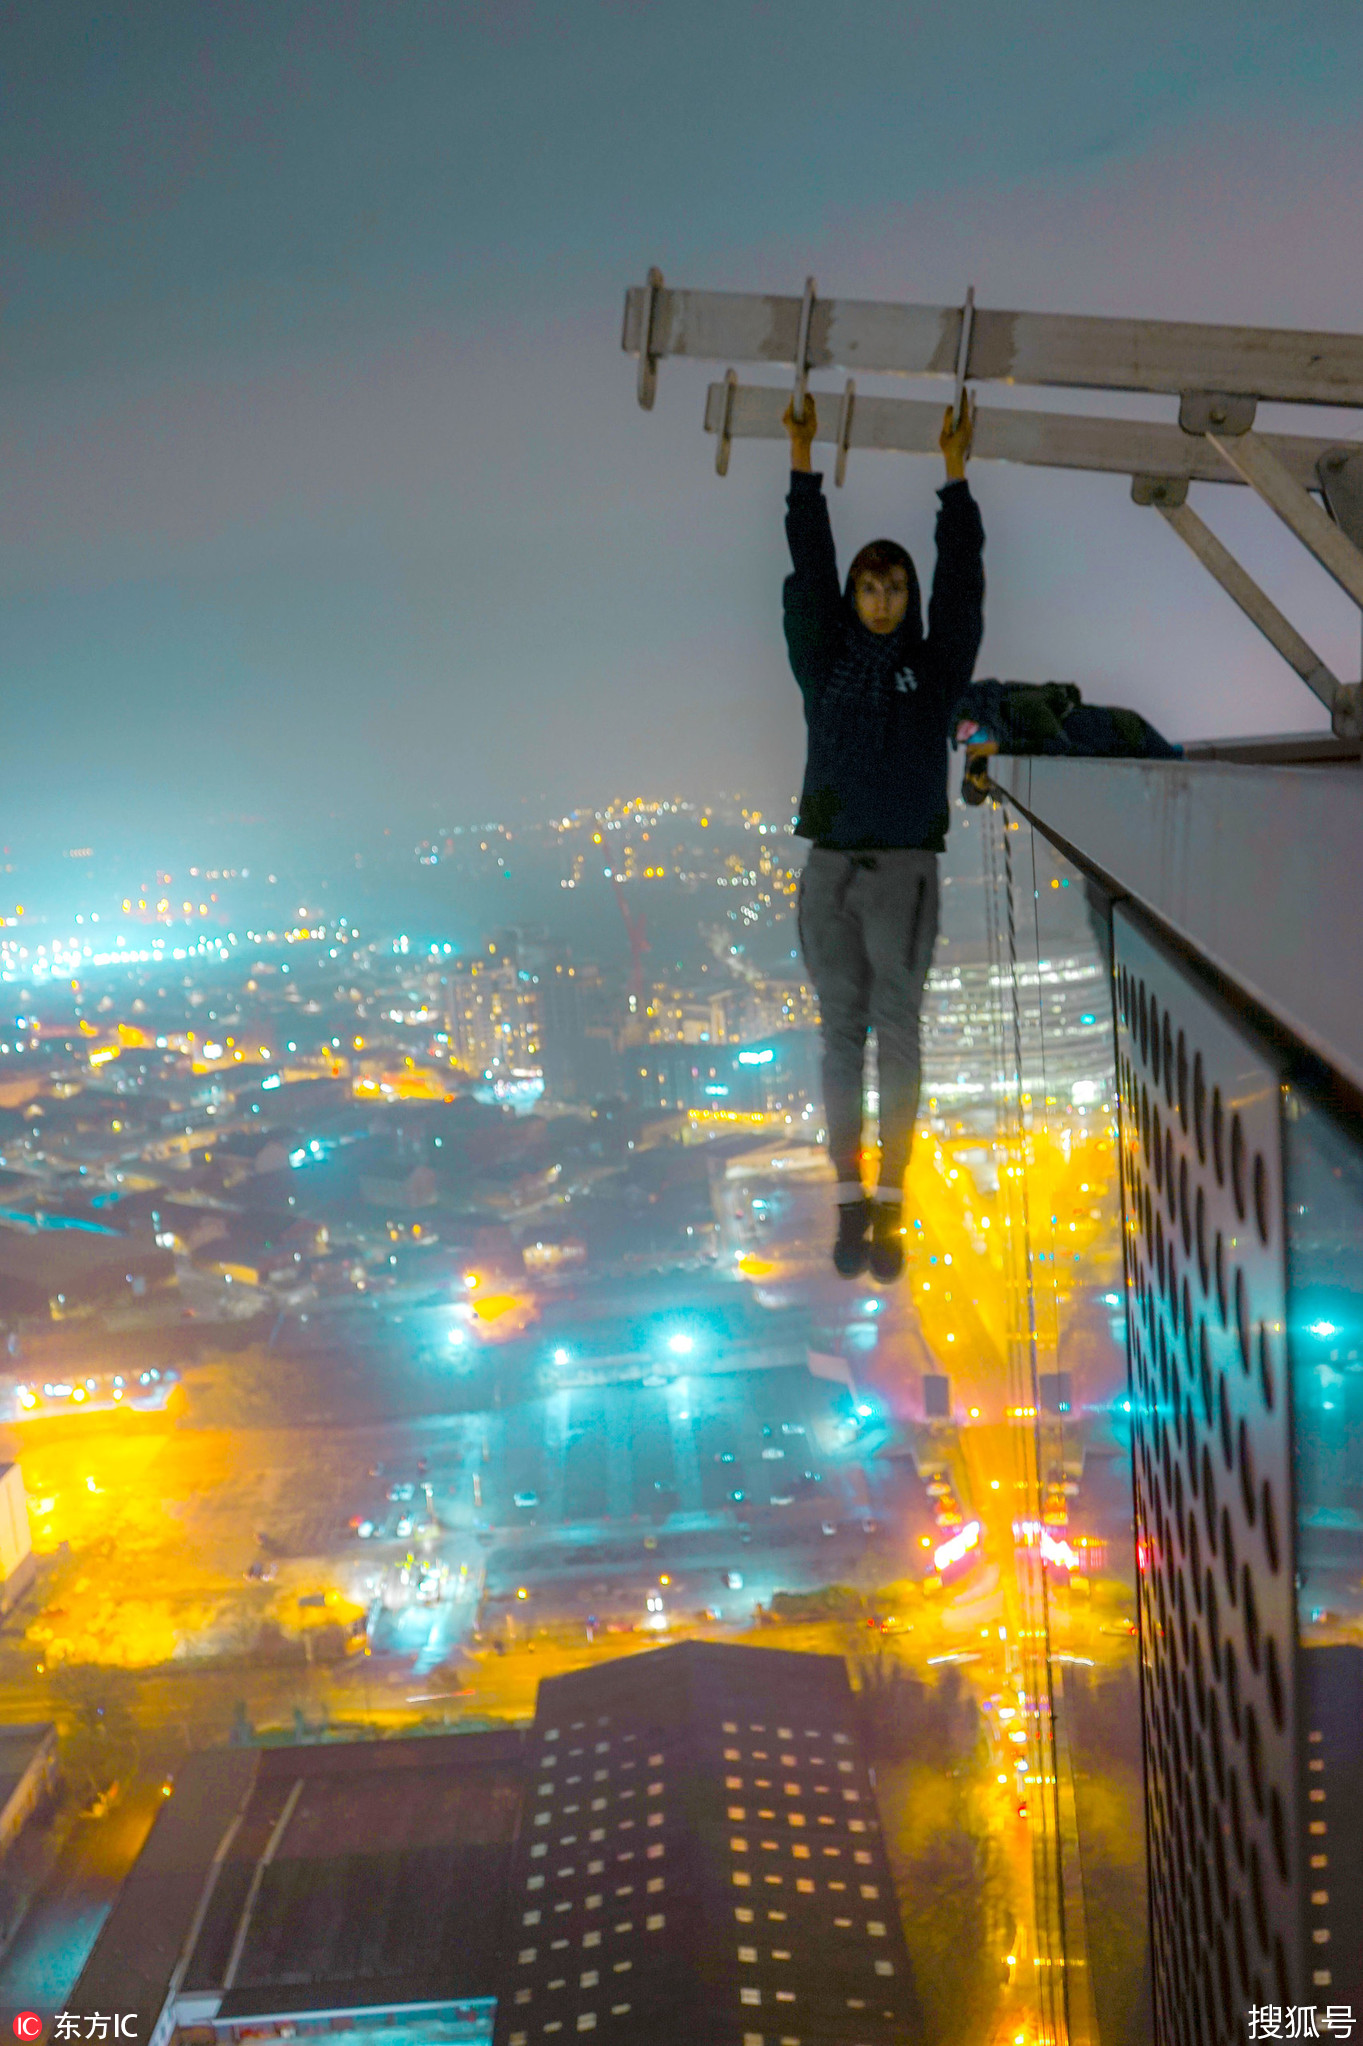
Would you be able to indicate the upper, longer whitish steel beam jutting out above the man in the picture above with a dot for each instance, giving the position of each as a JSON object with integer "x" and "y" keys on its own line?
{"x": 1030, "y": 349}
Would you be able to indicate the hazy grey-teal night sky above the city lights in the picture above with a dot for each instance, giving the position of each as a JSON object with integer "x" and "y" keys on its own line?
{"x": 324, "y": 490}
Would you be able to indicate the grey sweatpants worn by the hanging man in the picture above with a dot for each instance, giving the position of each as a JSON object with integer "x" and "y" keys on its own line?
{"x": 869, "y": 924}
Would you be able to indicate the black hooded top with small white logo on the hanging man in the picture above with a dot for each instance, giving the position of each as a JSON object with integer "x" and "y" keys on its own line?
{"x": 879, "y": 705}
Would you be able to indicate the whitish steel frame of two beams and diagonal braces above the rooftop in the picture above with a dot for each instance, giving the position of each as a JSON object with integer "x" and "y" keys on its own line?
{"x": 1217, "y": 373}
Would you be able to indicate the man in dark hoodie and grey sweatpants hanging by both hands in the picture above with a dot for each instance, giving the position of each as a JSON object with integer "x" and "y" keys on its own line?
{"x": 879, "y": 695}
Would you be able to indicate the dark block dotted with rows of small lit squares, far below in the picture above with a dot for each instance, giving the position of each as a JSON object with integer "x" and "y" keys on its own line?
{"x": 701, "y": 1859}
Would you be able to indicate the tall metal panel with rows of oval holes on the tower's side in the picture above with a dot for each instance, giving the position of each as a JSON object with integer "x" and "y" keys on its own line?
{"x": 1215, "y": 1521}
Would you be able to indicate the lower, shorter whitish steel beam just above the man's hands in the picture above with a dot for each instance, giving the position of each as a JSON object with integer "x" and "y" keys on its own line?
{"x": 1043, "y": 439}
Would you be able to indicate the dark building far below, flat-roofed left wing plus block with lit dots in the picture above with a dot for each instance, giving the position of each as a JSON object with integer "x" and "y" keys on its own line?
{"x": 683, "y": 1849}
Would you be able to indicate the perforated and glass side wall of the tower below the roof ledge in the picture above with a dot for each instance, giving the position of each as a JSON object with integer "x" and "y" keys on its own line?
{"x": 1243, "y": 1218}
